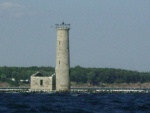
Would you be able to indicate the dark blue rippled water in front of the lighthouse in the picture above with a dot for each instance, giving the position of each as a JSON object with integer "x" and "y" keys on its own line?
{"x": 74, "y": 103}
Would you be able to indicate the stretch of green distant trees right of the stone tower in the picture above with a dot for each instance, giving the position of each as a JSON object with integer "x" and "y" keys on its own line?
{"x": 96, "y": 76}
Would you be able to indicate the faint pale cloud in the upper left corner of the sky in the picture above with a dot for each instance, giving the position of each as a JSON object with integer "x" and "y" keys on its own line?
{"x": 11, "y": 9}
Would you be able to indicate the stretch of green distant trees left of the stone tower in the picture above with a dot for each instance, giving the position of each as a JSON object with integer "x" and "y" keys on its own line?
{"x": 14, "y": 75}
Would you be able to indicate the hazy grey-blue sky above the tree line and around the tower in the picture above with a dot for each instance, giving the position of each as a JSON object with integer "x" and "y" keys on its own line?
{"x": 103, "y": 34}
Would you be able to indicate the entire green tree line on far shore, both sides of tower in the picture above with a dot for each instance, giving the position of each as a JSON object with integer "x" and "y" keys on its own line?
{"x": 93, "y": 76}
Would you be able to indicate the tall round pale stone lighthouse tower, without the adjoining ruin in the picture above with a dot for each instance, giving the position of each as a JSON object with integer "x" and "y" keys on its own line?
{"x": 62, "y": 57}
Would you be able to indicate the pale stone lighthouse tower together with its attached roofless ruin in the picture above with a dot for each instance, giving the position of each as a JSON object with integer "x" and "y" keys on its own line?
{"x": 60, "y": 81}
